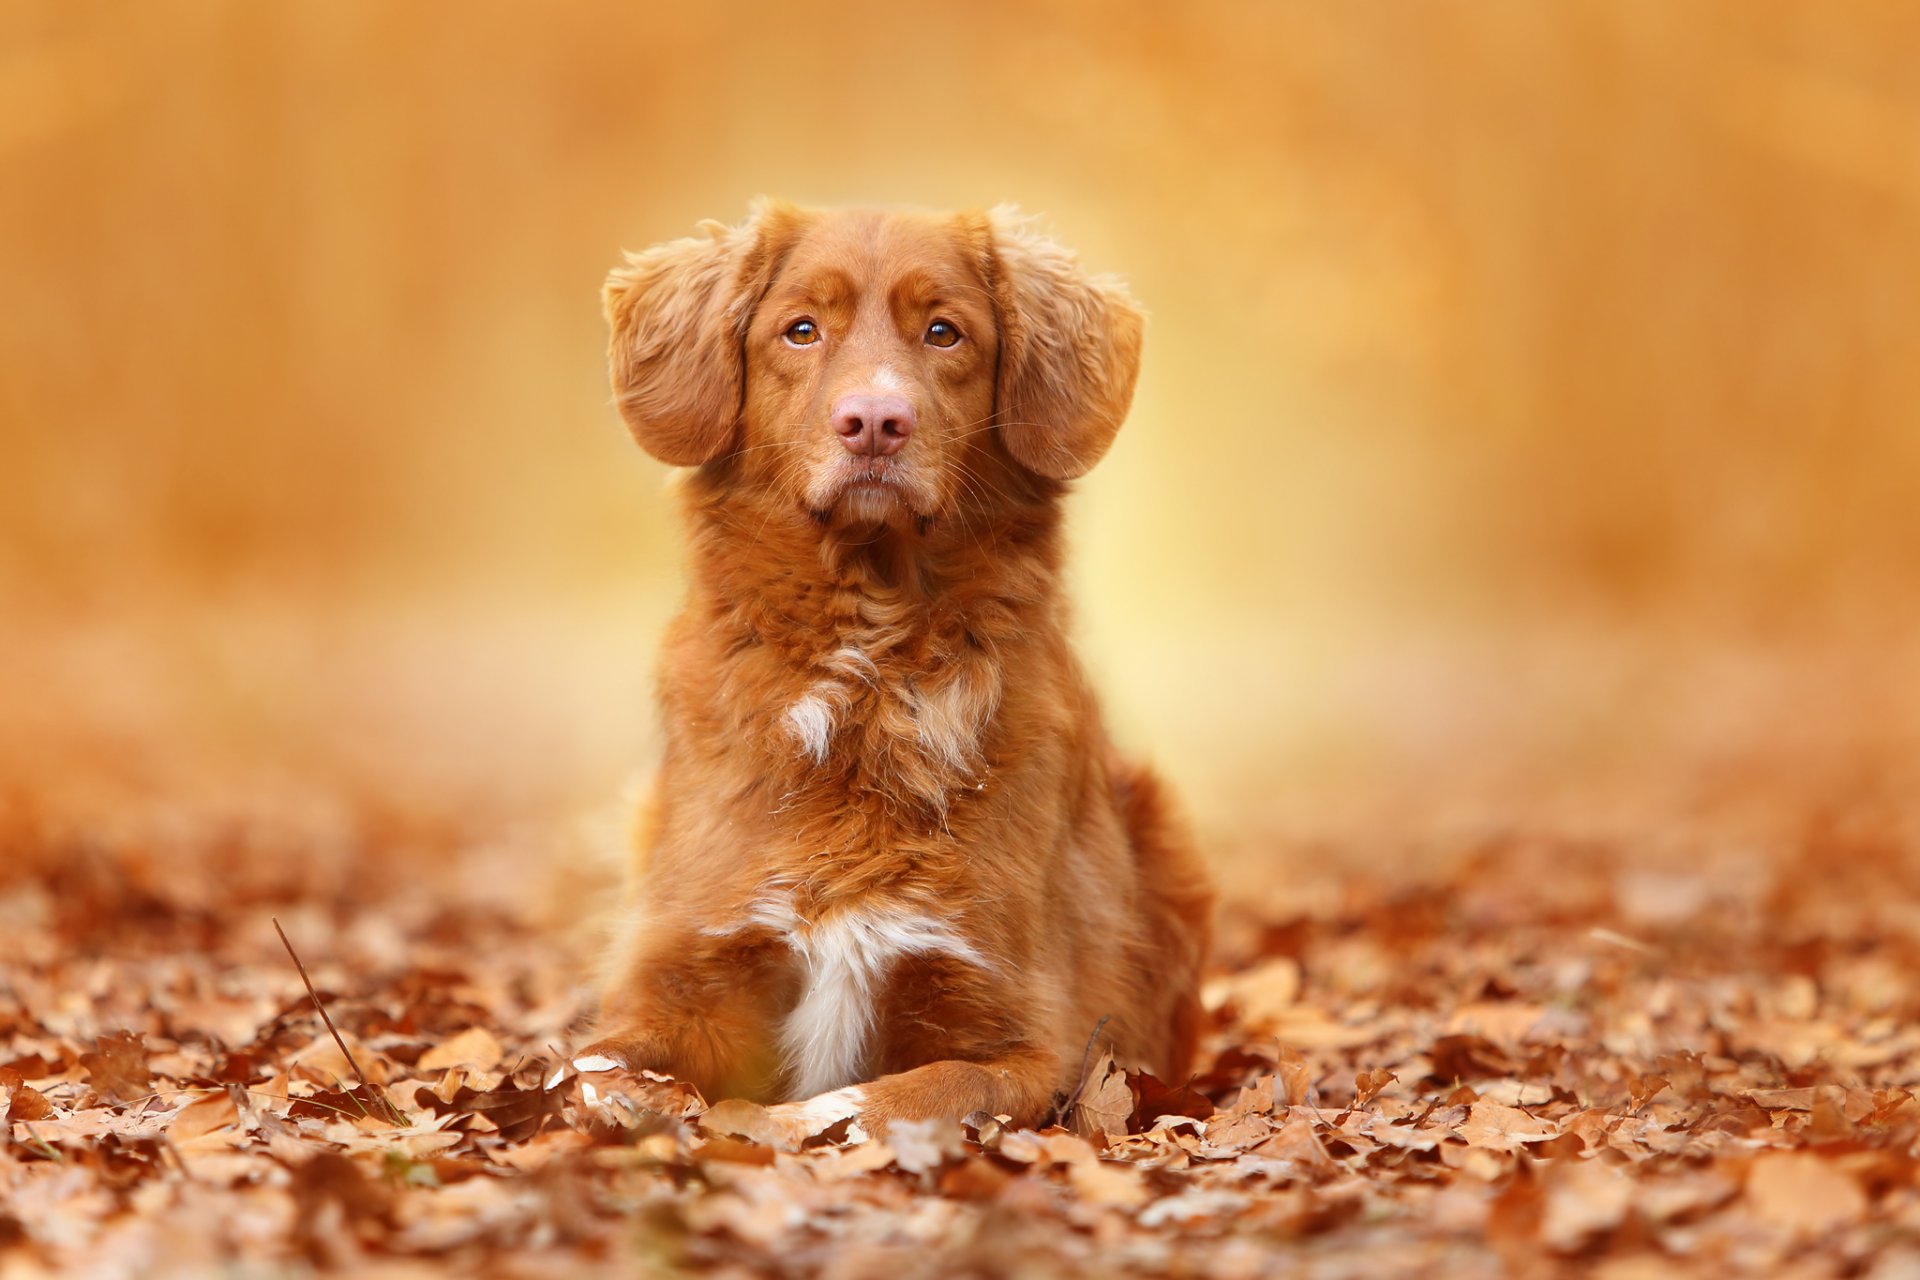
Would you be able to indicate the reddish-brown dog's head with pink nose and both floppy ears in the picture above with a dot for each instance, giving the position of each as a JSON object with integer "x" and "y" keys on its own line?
{"x": 873, "y": 367}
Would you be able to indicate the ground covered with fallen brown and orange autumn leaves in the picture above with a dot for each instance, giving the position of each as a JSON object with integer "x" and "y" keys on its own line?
{"x": 1631, "y": 1053}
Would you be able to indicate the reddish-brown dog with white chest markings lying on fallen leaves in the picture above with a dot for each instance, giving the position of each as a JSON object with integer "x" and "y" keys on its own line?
{"x": 892, "y": 866}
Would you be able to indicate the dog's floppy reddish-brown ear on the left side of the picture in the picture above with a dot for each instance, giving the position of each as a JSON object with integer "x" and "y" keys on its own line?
{"x": 679, "y": 318}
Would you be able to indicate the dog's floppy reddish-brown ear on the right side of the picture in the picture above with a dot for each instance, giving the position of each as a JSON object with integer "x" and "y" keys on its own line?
{"x": 1070, "y": 348}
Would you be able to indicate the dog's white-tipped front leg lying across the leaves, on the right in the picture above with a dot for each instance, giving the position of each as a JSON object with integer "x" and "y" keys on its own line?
{"x": 1020, "y": 1085}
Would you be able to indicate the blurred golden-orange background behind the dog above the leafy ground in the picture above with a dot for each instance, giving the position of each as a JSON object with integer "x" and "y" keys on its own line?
{"x": 1527, "y": 425}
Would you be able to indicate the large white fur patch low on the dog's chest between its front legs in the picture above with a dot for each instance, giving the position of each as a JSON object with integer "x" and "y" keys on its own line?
{"x": 846, "y": 960}
